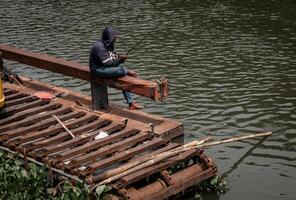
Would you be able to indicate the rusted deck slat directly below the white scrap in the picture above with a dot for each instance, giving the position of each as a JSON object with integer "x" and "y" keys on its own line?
{"x": 94, "y": 145}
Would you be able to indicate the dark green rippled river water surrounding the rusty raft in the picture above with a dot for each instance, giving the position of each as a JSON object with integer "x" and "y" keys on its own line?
{"x": 231, "y": 66}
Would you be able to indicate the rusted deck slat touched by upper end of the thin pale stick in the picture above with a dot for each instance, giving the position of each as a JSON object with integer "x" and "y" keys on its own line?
{"x": 57, "y": 109}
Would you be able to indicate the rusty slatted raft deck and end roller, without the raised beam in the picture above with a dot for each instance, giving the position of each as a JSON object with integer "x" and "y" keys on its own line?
{"x": 27, "y": 127}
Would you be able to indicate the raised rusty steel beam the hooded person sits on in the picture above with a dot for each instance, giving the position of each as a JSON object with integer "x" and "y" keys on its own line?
{"x": 157, "y": 90}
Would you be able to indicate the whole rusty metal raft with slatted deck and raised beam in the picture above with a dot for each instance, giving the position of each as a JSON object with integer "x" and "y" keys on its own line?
{"x": 28, "y": 126}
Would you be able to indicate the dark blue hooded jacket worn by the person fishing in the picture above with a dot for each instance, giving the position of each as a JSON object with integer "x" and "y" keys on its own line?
{"x": 102, "y": 53}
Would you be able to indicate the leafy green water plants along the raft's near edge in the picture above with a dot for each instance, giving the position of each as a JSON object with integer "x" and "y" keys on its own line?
{"x": 18, "y": 183}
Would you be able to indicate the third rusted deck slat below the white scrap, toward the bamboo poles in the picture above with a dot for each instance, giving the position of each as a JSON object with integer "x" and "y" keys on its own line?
{"x": 125, "y": 155}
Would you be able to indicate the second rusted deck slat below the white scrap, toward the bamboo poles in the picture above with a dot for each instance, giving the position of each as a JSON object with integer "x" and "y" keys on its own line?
{"x": 108, "y": 150}
